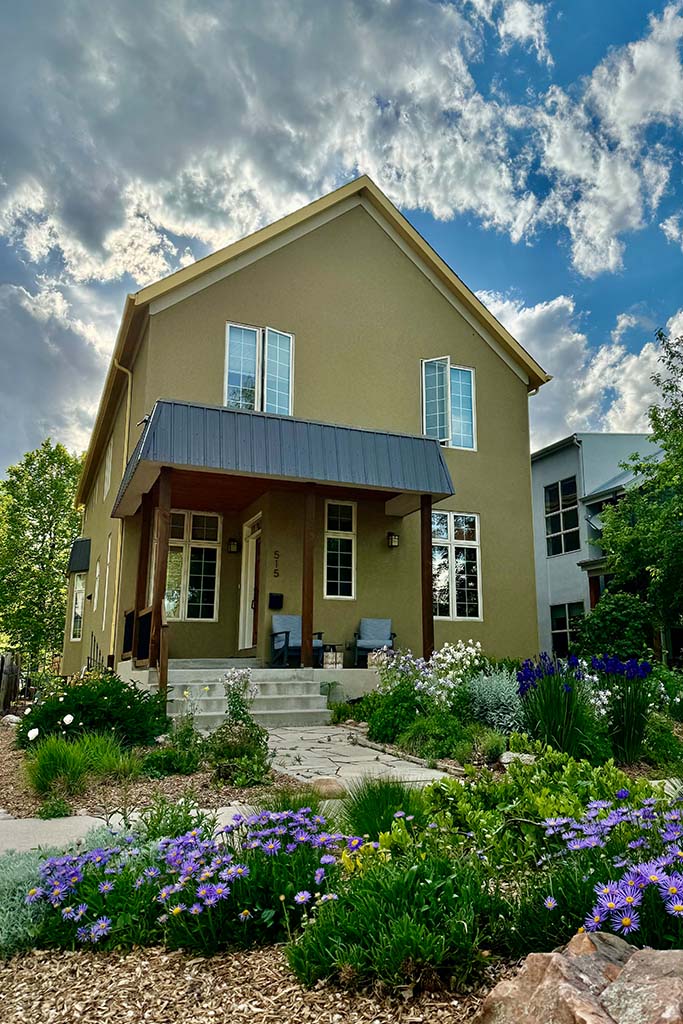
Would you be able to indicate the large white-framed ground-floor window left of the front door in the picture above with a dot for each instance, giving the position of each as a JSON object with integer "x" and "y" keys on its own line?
{"x": 193, "y": 571}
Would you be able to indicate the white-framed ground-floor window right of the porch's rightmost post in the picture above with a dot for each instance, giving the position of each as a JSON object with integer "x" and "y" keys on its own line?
{"x": 456, "y": 566}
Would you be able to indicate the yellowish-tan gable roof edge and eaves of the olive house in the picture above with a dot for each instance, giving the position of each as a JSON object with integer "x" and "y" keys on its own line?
{"x": 138, "y": 306}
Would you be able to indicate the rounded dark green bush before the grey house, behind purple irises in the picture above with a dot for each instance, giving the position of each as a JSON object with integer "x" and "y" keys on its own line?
{"x": 620, "y": 625}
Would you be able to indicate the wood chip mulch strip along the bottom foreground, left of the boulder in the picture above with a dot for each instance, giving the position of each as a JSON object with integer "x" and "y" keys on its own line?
{"x": 158, "y": 987}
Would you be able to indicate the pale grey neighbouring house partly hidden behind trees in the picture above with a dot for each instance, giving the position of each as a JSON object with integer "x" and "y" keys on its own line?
{"x": 573, "y": 481}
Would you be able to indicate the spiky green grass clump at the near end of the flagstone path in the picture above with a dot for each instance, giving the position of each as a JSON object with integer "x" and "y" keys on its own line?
{"x": 372, "y": 804}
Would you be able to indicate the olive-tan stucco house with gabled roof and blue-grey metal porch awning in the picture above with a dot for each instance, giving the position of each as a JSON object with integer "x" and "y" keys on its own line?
{"x": 219, "y": 491}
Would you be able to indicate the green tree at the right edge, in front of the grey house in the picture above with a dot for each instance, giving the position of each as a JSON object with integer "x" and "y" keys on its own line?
{"x": 644, "y": 533}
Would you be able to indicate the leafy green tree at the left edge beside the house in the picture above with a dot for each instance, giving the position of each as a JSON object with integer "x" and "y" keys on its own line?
{"x": 38, "y": 525}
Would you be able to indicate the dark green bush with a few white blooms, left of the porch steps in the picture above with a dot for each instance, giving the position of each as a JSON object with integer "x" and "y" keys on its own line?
{"x": 99, "y": 703}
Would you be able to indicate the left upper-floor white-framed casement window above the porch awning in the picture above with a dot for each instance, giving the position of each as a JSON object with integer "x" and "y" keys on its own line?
{"x": 259, "y": 369}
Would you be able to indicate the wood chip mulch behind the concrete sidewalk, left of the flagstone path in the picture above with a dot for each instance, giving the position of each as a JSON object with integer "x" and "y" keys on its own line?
{"x": 103, "y": 798}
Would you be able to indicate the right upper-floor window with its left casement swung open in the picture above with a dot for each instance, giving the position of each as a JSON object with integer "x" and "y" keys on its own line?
{"x": 448, "y": 404}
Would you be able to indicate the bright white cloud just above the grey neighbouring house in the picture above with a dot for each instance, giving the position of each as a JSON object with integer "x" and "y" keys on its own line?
{"x": 604, "y": 389}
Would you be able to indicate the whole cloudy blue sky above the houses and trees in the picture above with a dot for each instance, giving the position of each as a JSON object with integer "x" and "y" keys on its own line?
{"x": 536, "y": 146}
